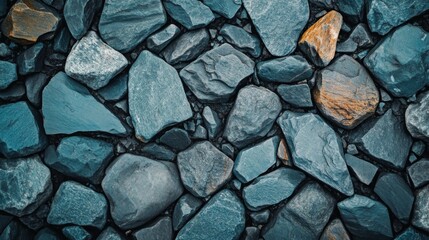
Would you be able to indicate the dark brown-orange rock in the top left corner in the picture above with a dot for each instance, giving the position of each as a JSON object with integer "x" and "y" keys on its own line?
{"x": 29, "y": 21}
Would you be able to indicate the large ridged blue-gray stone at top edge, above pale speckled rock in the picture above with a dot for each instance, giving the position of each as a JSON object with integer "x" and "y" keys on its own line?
{"x": 123, "y": 25}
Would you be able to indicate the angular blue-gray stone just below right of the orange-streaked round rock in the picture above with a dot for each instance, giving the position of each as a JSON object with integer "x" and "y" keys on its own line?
{"x": 385, "y": 139}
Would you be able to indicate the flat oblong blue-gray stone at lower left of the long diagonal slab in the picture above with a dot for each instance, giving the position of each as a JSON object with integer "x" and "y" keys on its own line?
{"x": 272, "y": 188}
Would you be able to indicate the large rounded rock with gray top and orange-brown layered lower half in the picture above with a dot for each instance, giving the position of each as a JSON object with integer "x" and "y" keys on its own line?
{"x": 345, "y": 93}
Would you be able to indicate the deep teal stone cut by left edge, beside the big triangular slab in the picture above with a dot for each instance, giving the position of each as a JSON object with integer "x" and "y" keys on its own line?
{"x": 21, "y": 131}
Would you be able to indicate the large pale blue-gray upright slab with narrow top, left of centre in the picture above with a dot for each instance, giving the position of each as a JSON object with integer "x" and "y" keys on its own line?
{"x": 156, "y": 96}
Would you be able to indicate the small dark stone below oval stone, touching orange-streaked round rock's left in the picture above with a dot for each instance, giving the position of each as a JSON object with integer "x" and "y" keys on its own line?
{"x": 297, "y": 95}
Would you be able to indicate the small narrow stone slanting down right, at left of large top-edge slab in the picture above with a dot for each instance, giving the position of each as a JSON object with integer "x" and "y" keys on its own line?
{"x": 241, "y": 39}
